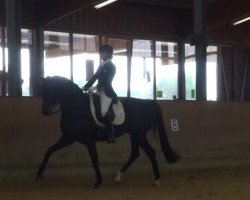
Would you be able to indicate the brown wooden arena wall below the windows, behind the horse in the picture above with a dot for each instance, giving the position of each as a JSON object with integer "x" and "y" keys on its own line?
{"x": 206, "y": 129}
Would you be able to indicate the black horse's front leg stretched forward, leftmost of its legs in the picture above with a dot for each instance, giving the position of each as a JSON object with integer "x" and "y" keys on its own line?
{"x": 61, "y": 143}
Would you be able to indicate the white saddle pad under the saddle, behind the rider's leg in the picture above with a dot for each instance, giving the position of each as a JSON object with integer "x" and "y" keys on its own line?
{"x": 118, "y": 111}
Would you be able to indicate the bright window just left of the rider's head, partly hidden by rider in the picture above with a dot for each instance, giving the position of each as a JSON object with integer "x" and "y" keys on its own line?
{"x": 85, "y": 57}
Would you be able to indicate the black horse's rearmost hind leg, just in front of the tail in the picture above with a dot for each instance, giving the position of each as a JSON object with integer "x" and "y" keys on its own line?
{"x": 151, "y": 155}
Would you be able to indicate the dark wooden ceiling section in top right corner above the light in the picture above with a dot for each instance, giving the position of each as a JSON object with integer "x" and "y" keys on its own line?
{"x": 224, "y": 11}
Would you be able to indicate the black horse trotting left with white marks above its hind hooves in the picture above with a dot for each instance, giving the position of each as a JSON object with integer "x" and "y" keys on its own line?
{"x": 78, "y": 125}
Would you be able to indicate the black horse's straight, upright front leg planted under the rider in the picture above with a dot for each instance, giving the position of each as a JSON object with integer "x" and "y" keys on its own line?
{"x": 94, "y": 158}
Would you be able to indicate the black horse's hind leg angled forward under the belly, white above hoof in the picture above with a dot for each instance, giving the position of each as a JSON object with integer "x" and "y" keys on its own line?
{"x": 134, "y": 154}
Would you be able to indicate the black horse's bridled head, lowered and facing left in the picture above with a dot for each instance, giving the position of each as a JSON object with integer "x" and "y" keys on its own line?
{"x": 50, "y": 91}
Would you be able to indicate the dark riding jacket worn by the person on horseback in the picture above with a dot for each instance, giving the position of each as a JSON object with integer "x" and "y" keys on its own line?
{"x": 105, "y": 75}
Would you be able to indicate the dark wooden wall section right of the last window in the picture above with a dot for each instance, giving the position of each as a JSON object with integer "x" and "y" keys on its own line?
{"x": 233, "y": 73}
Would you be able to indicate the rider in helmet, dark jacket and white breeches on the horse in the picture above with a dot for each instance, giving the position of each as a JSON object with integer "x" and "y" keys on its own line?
{"x": 105, "y": 74}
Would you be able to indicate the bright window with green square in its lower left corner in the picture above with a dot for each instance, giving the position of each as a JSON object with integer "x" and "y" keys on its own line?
{"x": 166, "y": 70}
